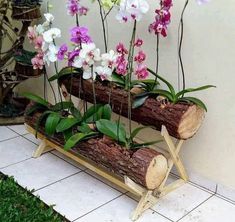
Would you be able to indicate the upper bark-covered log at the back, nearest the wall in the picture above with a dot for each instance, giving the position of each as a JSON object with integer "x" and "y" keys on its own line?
{"x": 182, "y": 120}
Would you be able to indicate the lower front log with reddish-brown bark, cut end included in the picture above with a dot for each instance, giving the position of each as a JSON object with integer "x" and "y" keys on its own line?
{"x": 145, "y": 166}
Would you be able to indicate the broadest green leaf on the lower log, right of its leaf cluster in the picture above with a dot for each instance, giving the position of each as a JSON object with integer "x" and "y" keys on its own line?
{"x": 111, "y": 129}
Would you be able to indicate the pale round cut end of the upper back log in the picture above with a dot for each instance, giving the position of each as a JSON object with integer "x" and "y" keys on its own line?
{"x": 191, "y": 122}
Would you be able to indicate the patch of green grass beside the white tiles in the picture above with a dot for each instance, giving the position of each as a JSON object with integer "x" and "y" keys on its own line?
{"x": 19, "y": 205}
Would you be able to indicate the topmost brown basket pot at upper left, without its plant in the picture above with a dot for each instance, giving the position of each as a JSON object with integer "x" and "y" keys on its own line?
{"x": 26, "y": 13}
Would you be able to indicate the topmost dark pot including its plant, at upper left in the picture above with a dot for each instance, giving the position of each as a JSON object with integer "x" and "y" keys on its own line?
{"x": 26, "y": 10}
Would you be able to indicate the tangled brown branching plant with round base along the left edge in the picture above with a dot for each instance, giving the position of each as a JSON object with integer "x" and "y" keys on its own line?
{"x": 12, "y": 106}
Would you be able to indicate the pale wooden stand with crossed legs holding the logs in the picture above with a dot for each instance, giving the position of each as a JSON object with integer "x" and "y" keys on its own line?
{"x": 148, "y": 198}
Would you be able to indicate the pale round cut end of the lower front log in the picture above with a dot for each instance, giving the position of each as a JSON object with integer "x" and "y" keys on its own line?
{"x": 156, "y": 172}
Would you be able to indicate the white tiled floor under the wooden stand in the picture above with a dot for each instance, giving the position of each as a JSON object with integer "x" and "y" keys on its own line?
{"x": 82, "y": 196}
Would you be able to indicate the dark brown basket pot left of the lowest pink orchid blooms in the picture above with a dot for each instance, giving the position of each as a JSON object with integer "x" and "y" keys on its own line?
{"x": 27, "y": 71}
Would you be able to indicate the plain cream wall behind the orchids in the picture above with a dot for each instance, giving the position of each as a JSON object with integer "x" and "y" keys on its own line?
{"x": 208, "y": 56}
